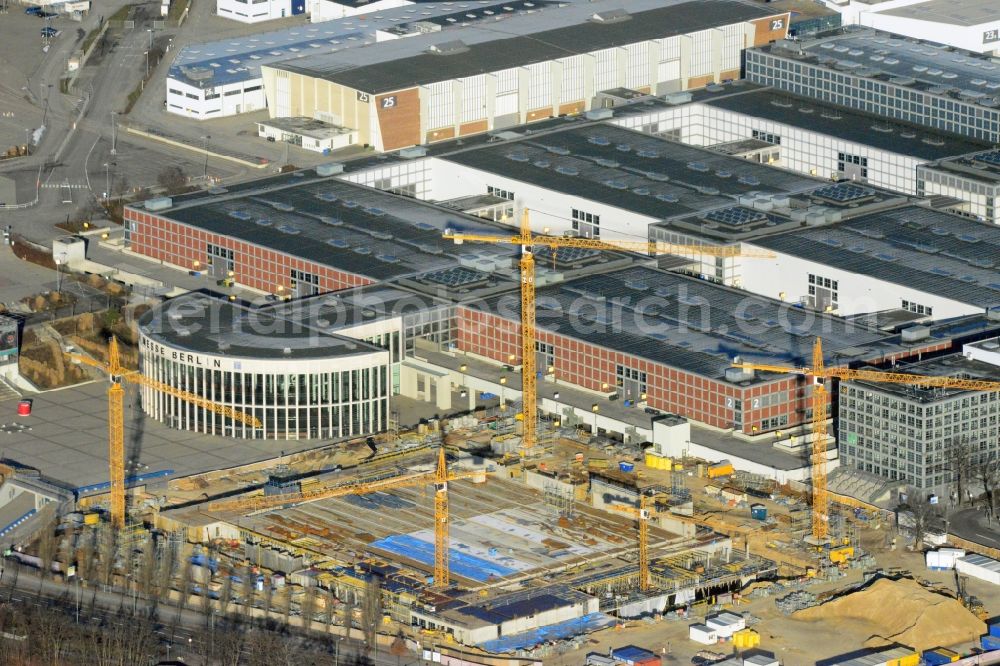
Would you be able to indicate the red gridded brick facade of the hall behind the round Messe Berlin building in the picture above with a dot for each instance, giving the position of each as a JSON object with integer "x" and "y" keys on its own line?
{"x": 255, "y": 266}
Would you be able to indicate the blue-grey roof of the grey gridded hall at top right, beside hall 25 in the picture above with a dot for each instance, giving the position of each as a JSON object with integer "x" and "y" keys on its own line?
{"x": 905, "y": 62}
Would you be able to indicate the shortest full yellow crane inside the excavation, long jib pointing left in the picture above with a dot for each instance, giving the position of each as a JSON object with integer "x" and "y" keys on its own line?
{"x": 439, "y": 478}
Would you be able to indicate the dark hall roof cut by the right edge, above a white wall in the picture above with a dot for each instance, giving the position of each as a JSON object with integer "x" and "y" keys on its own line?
{"x": 921, "y": 248}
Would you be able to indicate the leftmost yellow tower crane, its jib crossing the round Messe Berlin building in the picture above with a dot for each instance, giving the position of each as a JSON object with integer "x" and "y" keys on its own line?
{"x": 116, "y": 417}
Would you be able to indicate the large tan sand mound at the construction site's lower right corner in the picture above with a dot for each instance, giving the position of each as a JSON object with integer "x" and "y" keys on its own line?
{"x": 900, "y": 611}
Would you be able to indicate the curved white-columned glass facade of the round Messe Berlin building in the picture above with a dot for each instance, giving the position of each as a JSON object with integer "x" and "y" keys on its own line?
{"x": 295, "y": 399}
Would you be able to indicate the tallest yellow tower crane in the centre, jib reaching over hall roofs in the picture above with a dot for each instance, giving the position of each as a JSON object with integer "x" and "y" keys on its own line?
{"x": 527, "y": 240}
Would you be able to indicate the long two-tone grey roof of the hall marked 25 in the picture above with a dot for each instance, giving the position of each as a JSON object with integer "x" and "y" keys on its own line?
{"x": 524, "y": 40}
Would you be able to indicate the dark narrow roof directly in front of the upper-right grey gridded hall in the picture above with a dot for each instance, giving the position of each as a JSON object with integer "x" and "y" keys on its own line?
{"x": 835, "y": 121}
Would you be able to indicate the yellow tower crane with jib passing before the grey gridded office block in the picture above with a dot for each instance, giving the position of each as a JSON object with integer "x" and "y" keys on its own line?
{"x": 818, "y": 373}
